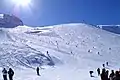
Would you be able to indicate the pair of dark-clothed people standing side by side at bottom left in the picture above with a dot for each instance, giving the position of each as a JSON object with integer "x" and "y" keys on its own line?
{"x": 10, "y": 73}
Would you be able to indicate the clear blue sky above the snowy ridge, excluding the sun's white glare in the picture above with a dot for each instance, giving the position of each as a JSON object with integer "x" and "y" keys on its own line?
{"x": 50, "y": 12}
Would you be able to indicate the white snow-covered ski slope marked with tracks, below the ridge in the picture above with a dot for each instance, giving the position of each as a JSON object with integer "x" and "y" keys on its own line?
{"x": 72, "y": 51}
